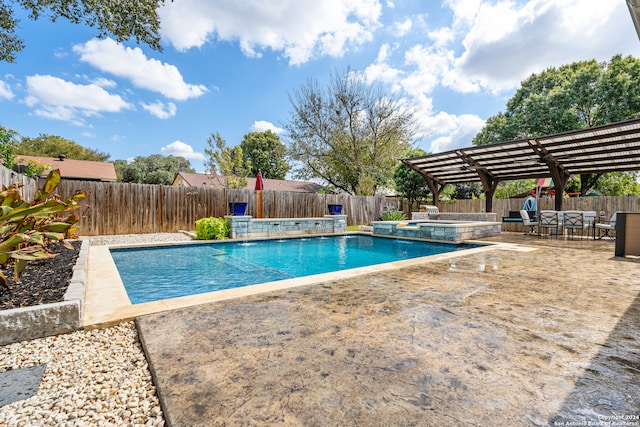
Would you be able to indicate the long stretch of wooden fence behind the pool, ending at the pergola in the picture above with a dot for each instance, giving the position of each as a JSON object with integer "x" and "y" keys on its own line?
{"x": 127, "y": 208}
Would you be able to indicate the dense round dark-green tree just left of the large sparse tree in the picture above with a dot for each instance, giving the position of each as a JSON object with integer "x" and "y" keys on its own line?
{"x": 266, "y": 153}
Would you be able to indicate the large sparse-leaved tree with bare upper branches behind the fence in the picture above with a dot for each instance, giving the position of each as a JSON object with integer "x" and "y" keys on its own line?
{"x": 349, "y": 134}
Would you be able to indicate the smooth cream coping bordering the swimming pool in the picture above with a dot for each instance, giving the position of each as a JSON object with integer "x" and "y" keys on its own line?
{"x": 107, "y": 302}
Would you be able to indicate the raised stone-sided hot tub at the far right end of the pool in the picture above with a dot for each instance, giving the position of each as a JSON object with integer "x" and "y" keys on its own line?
{"x": 449, "y": 231}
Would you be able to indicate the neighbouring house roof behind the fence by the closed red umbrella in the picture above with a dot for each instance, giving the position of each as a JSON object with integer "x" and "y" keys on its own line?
{"x": 199, "y": 179}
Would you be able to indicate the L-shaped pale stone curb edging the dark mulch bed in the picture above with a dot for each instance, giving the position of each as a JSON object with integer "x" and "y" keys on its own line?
{"x": 27, "y": 323}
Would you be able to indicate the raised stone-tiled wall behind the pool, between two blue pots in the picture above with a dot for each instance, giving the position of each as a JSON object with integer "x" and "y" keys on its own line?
{"x": 249, "y": 227}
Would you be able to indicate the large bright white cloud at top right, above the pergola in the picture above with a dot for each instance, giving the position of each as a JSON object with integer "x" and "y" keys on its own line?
{"x": 507, "y": 41}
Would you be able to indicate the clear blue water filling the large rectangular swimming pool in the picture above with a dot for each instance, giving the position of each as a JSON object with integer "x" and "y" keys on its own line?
{"x": 156, "y": 273}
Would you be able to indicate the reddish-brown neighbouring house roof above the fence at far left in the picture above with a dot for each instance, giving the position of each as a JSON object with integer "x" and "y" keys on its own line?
{"x": 84, "y": 170}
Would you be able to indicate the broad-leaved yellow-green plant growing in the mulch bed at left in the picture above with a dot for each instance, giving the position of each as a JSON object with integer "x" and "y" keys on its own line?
{"x": 27, "y": 228}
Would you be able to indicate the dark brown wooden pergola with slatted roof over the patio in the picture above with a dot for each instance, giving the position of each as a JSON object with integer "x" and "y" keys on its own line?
{"x": 609, "y": 148}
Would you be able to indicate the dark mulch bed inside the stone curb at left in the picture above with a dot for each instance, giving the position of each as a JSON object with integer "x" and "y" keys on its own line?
{"x": 43, "y": 281}
